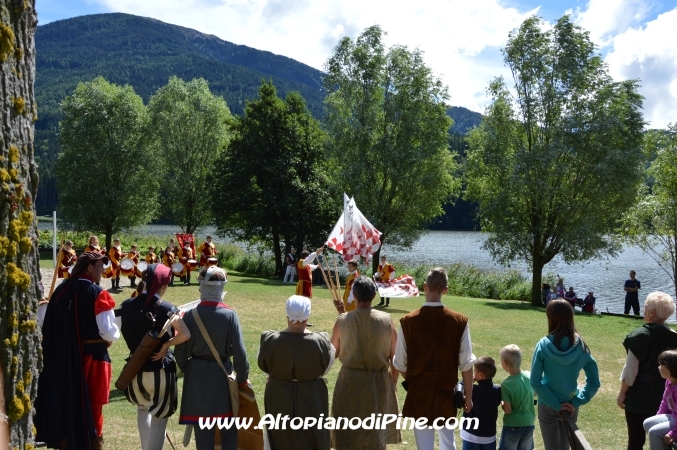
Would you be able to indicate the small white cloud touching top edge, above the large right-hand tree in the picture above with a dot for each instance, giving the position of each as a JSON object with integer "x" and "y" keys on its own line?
{"x": 606, "y": 18}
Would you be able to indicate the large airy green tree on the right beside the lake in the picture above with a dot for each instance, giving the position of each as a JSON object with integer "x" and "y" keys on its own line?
{"x": 557, "y": 159}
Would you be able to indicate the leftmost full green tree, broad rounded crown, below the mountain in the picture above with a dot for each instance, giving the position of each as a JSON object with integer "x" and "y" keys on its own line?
{"x": 107, "y": 171}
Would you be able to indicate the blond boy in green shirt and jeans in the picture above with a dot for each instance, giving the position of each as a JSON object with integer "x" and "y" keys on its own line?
{"x": 518, "y": 403}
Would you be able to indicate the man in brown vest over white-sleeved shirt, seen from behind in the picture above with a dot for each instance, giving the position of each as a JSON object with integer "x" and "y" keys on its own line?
{"x": 424, "y": 358}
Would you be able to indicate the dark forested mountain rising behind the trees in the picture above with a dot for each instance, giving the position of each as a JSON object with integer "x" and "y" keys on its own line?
{"x": 144, "y": 53}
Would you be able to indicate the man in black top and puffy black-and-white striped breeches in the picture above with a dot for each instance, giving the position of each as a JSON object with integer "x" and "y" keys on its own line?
{"x": 154, "y": 389}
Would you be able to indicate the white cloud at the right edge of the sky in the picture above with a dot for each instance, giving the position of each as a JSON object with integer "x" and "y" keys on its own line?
{"x": 649, "y": 53}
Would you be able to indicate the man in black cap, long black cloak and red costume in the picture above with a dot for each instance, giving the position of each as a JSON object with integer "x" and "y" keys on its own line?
{"x": 73, "y": 385}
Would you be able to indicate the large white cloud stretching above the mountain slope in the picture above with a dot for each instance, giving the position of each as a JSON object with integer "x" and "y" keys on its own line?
{"x": 456, "y": 35}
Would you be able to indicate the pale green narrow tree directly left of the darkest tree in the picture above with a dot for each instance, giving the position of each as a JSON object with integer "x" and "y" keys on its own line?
{"x": 190, "y": 125}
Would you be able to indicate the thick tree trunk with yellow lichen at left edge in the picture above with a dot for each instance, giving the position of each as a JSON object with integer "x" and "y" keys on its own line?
{"x": 20, "y": 358}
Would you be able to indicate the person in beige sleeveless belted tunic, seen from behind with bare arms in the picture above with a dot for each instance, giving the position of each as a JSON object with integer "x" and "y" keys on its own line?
{"x": 364, "y": 340}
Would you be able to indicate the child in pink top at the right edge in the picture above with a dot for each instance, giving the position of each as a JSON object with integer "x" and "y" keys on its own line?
{"x": 662, "y": 427}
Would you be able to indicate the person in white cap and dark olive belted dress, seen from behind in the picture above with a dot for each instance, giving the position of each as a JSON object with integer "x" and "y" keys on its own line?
{"x": 295, "y": 360}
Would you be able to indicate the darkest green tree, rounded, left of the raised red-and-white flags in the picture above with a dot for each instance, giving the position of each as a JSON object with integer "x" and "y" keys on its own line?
{"x": 273, "y": 184}
